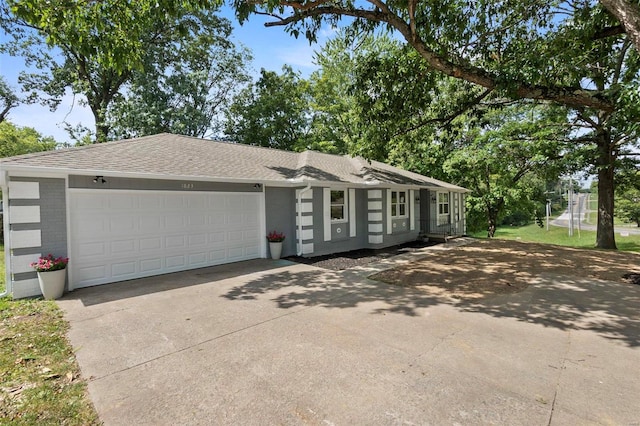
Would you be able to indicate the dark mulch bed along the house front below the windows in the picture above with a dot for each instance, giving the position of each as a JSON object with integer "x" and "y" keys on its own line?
{"x": 351, "y": 259}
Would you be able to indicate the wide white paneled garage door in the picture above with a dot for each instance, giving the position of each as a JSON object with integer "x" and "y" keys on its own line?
{"x": 121, "y": 235}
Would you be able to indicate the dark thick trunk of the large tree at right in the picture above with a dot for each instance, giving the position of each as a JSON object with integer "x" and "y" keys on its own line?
{"x": 605, "y": 237}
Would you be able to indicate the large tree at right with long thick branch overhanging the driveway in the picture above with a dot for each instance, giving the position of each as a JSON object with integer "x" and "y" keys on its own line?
{"x": 560, "y": 52}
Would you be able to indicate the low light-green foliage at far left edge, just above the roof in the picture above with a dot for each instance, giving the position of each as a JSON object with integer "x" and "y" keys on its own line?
{"x": 16, "y": 140}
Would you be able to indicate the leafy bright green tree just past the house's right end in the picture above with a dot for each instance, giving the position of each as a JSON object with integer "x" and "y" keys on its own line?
{"x": 510, "y": 152}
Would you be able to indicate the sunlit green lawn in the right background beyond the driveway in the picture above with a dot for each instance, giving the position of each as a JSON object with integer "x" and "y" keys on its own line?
{"x": 560, "y": 236}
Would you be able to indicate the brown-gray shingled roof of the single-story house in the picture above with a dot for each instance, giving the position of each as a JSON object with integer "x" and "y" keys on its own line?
{"x": 188, "y": 157}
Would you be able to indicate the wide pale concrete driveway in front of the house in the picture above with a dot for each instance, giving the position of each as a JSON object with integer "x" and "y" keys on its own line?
{"x": 270, "y": 342}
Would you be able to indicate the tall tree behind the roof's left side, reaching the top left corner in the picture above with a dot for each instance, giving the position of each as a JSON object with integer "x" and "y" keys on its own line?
{"x": 99, "y": 44}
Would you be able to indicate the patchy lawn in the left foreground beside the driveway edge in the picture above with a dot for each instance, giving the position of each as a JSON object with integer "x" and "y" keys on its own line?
{"x": 40, "y": 380}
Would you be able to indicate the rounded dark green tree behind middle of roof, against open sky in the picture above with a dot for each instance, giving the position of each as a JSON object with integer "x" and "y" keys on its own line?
{"x": 273, "y": 112}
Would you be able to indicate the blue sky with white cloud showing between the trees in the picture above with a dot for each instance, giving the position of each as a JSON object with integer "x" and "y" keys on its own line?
{"x": 271, "y": 48}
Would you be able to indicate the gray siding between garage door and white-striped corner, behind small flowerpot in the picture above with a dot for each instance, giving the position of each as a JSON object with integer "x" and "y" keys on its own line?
{"x": 280, "y": 207}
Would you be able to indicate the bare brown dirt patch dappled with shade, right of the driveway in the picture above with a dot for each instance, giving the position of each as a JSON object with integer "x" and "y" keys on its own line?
{"x": 488, "y": 267}
